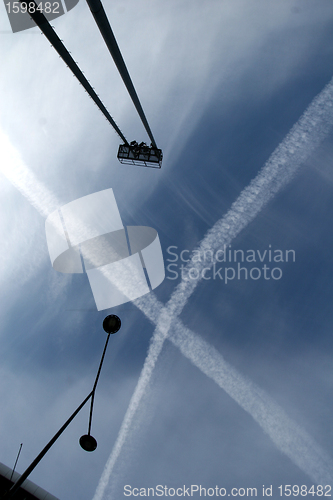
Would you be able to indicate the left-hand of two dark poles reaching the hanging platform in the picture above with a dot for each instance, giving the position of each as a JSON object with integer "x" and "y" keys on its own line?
{"x": 53, "y": 38}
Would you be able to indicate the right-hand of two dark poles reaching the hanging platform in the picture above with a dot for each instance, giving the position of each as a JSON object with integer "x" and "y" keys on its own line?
{"x": 103, "y": 24}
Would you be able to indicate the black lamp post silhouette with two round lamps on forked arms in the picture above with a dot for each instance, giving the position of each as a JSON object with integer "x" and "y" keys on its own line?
{"x": 111, "y": 325}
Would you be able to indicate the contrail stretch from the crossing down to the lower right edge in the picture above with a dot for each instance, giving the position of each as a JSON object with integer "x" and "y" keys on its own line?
{"x": 288, "y": 437}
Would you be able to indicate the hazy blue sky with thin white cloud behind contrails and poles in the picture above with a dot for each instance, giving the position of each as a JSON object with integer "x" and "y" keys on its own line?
{"x": 222, "y": 84}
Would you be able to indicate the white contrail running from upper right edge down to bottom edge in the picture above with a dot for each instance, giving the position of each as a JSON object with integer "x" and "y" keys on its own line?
{"x": 307, "y": 133}
